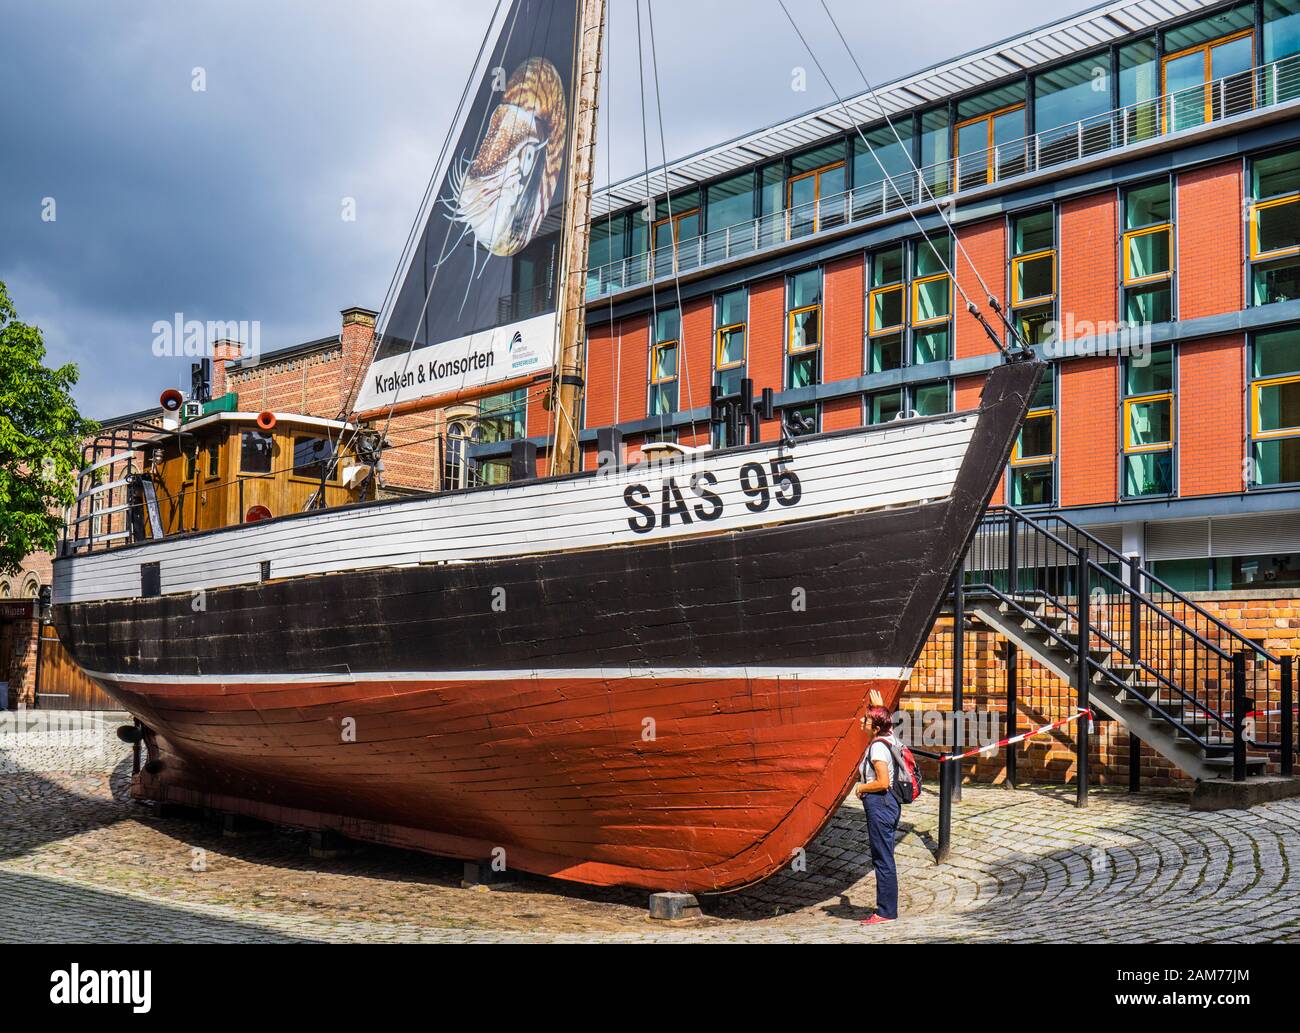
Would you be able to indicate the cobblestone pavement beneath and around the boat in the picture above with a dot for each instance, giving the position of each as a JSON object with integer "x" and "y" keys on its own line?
{"x": 79, "y": 862}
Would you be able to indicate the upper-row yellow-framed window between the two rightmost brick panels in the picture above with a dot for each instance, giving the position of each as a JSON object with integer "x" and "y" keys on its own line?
{"x": 1149, "y": 254}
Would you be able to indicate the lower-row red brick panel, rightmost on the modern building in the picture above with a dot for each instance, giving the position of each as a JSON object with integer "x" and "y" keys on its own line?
{"x": 1211, "y": 416}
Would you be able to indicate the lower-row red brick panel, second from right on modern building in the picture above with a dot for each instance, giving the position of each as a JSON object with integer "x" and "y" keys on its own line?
{"x": 1089, "y": 431}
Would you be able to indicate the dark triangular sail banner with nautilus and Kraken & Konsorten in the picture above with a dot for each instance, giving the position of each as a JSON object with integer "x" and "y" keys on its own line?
{"x": 479, "y": 302}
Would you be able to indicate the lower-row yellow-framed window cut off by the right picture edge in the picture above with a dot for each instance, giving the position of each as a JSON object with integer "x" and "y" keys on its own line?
{"x": 1276, "y": 409}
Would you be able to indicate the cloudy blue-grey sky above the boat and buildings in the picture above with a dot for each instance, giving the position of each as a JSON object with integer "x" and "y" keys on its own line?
{"x": 227, "y": 203}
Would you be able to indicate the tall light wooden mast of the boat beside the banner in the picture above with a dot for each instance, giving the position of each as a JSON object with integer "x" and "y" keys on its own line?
{"x": 569, "y": 384}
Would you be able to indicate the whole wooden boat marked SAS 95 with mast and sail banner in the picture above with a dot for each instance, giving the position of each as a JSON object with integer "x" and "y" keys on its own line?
{"x": 643, "y": 675}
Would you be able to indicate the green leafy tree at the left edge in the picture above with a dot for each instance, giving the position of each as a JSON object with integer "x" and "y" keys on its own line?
{"x": 41, "y": 437}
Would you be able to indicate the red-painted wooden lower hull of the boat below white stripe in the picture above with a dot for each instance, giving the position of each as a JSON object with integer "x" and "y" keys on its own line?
{"x": 686, "y": 783}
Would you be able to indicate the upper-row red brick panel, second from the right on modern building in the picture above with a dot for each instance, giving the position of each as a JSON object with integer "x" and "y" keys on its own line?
{"x": 1089, "y": 262}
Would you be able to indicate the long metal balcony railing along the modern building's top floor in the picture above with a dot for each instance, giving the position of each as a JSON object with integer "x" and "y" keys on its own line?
{"x": 1199, "y": 106}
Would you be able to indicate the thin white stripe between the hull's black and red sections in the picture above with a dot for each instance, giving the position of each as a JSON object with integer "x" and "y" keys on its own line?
{"x": 684, "y": 674}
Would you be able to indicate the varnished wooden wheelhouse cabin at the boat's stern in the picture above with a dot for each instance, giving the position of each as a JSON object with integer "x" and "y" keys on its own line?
{"x": 229, "y": 468}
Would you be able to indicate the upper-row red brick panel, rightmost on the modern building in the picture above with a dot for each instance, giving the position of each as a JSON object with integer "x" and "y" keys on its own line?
{"x": 1211, "y": 249}
